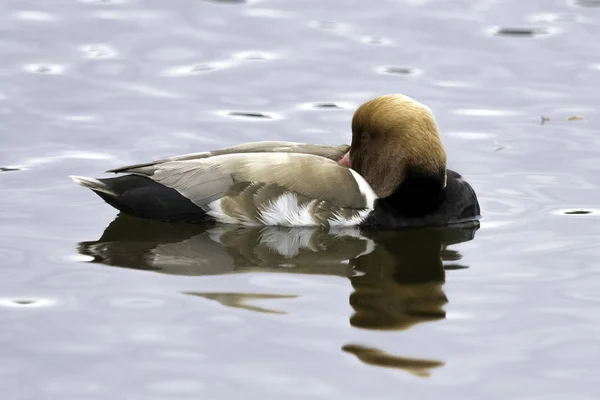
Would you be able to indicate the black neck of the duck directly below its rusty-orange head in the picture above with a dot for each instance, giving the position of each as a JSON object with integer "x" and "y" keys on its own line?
{"x": 420, "y": 193}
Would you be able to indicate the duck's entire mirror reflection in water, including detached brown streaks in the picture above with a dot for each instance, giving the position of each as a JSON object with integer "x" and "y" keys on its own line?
{"x": 397, "y": 276}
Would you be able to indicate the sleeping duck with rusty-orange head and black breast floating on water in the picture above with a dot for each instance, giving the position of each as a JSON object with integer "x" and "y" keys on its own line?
{"x": 392, "y": 175}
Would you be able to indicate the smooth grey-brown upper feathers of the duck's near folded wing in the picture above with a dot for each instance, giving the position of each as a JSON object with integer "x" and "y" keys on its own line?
{"x": 207, "y": 179}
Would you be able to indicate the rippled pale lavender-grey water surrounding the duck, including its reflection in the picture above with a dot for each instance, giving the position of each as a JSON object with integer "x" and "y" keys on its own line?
{"x": 152, "y": 311}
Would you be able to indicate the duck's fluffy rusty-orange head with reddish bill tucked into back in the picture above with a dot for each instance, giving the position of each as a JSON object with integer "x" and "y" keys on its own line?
{"x": 395, "y": 141}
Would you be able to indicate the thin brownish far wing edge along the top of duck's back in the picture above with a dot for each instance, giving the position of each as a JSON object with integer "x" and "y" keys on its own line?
{"x": 331, "y": 152}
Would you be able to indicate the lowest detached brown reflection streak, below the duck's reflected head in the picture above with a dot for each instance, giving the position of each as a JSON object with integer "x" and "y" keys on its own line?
{"x": 377, "y": 357}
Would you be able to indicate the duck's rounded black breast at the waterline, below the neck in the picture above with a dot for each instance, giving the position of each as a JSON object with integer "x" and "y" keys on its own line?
{"x": 458, "y": 204}
